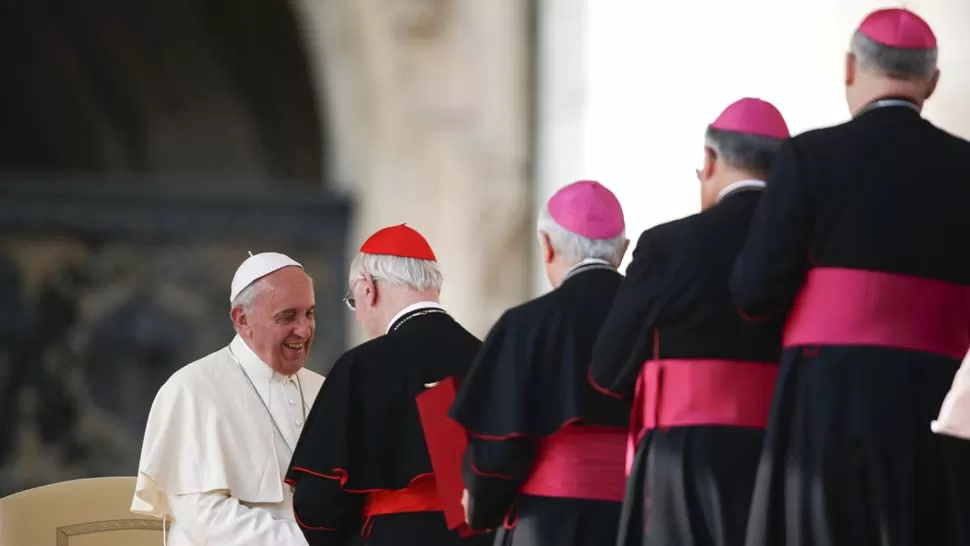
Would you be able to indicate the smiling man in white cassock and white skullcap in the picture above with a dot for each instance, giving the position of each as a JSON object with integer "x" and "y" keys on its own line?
{"x": 222, "y": 429}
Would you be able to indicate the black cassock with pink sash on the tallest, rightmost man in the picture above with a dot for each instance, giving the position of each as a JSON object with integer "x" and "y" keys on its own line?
{"x": 863, "y": 239}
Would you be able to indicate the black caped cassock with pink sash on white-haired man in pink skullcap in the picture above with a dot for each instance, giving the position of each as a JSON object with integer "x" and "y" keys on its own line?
{"x": 545, "y": 457}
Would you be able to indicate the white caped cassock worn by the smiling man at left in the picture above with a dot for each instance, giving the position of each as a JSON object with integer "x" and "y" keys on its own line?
{"x": 213, "y": 461}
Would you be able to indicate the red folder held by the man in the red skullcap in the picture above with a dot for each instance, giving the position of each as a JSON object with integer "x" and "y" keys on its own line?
{"x": 446, "y": 443}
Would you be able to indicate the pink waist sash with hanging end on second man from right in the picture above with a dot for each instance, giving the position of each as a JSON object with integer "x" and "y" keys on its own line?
{"x": 697, "y": 392}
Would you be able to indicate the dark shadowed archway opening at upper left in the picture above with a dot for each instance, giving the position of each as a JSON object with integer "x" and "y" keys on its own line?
{"x": 202, "y": 87}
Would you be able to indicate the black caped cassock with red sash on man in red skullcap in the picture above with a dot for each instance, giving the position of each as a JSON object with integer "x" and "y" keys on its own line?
{"x": 361, "y": 471}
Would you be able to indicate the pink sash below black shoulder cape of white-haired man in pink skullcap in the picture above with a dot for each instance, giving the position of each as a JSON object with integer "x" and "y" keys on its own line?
{"x": 580, "y": 462}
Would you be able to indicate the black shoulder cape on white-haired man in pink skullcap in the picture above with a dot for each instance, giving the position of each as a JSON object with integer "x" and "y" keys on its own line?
{"x": 531, "y": 376}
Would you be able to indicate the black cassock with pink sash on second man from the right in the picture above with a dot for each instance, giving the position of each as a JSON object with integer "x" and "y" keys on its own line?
{"x": 702, "y": 379}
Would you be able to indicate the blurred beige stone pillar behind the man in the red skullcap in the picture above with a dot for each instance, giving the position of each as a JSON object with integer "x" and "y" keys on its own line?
{"x": 427, "y": 105}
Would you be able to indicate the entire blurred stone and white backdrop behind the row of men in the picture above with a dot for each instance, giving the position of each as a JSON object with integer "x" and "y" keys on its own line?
{"x": 146, "y": 146}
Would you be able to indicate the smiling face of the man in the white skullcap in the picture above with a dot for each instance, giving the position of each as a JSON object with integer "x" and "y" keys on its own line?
{"x": 278, "y": 325}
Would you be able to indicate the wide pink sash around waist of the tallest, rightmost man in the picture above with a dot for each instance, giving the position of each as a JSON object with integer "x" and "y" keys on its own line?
{"x": 838, "y": 306}
